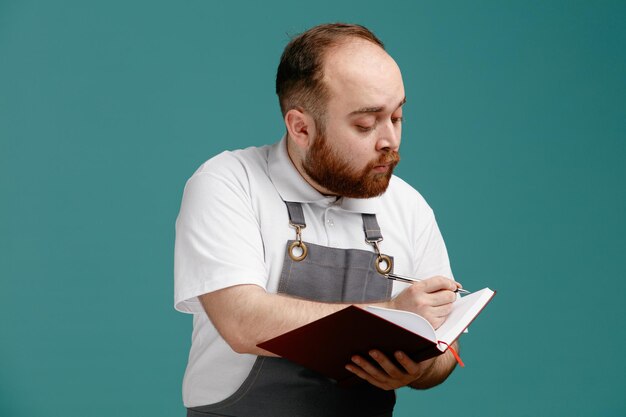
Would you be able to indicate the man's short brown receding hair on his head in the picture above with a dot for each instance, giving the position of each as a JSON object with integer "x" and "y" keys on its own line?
{"x": 299, "y": 79}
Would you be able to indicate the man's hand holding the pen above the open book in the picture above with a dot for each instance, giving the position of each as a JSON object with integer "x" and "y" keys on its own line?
{"x": 431, "y": 298}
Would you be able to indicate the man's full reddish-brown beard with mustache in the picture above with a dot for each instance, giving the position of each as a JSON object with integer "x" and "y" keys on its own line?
{"x": 326, "y": 168}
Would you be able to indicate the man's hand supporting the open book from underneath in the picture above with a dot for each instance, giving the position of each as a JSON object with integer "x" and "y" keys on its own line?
{"x": 390, "y": 376}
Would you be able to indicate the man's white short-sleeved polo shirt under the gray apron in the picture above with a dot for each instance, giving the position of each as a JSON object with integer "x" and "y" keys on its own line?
{"x": 233, "y": 227}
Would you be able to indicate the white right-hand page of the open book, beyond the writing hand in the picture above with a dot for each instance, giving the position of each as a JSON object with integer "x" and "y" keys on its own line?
{"x": 463, "y": 311}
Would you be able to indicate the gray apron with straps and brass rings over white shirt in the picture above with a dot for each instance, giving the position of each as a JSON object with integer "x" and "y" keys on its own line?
{"x": 277, "y": 387}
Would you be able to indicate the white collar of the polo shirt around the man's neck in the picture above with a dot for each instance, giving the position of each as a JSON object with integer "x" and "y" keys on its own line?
{"x": 291, "y": 186}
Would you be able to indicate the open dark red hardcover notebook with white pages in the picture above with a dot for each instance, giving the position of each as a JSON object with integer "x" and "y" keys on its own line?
{"x": 327, "y": 345}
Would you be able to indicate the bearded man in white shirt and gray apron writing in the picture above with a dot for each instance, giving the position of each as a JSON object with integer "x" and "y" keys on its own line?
{"x": 271, "y": 238}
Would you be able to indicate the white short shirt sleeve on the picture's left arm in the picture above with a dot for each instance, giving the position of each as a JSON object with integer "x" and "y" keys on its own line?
{"x": 218, "y": 242}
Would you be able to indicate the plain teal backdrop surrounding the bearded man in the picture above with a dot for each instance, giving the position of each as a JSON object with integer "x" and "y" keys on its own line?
{"x": 515, "y": 133}
